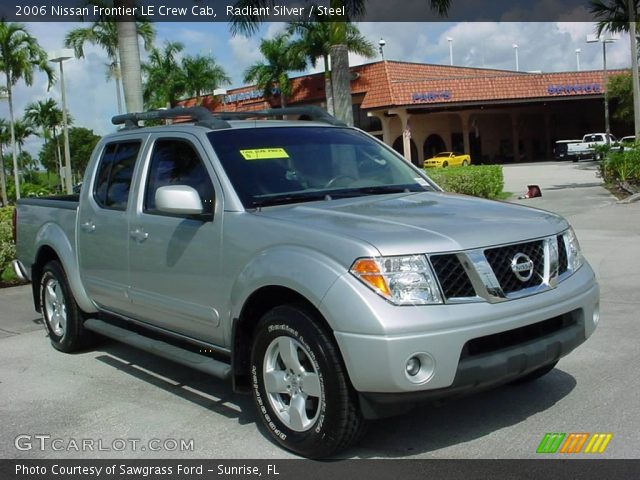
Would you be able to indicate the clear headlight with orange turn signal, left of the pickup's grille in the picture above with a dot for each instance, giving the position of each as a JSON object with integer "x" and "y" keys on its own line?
{"x": 406, "y": 280}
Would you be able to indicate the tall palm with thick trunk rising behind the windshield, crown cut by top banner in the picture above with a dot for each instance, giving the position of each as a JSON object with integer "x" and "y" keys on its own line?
{"x": 339, "y": 53}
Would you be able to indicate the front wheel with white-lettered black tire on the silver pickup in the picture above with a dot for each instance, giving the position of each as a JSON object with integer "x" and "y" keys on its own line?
{"x": 327, "y": 422}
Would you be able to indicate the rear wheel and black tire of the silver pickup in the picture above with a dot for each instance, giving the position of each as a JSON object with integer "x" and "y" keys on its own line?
{"x": 68, "y": 335}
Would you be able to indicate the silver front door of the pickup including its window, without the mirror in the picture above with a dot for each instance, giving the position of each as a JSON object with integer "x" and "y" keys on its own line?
{"x": 175, "y": 260}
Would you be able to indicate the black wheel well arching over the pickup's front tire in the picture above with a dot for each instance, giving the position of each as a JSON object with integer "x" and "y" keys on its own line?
{"x": 259, "y": 303}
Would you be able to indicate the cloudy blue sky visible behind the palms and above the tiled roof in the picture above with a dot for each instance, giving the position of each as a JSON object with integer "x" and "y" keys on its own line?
{"x": 543, "y": 46}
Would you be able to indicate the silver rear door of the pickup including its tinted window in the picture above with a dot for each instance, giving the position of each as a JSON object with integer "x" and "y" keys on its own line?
{"x": 103, "y": 230}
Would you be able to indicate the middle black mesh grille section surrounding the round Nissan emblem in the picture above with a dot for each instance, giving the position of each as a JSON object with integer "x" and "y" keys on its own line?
{"x": 500, "y": 261}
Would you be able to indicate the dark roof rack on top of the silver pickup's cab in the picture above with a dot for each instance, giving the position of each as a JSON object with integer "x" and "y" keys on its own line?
{"x": 218, "y": 120}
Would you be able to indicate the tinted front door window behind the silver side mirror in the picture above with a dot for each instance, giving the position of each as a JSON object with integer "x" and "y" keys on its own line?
{"x": 176, "y": 162}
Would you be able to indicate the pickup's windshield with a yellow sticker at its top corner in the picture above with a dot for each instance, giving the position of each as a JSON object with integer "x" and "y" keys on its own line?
{"x": 271, "y": 166}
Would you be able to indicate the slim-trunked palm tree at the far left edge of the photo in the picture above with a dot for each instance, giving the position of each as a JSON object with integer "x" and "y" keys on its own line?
{"x": 20, "y": 56}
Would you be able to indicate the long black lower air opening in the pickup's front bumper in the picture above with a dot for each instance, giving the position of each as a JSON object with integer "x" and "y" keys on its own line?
{"x": 517, "y": 336}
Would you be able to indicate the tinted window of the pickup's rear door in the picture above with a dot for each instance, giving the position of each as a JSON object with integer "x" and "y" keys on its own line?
{"x": 113, "y": 180}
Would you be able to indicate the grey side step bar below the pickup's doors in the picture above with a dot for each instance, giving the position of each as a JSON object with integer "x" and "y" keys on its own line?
{"x": 179, "y": 355}
